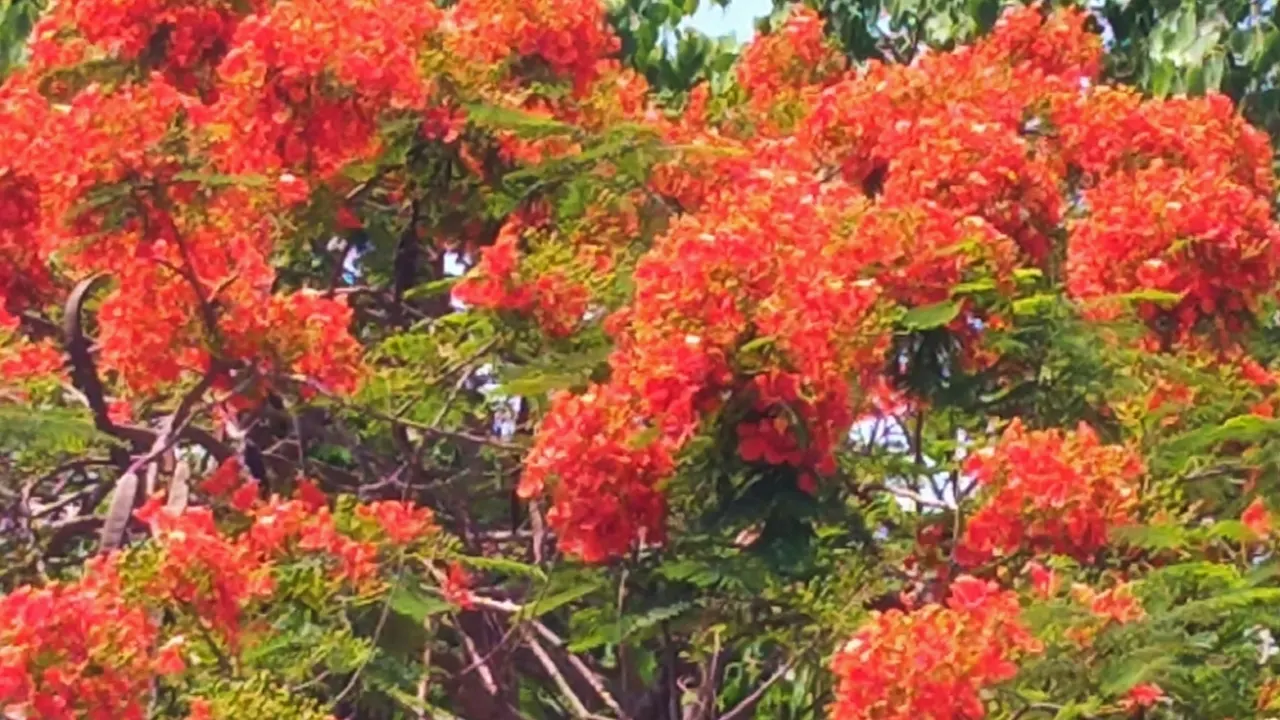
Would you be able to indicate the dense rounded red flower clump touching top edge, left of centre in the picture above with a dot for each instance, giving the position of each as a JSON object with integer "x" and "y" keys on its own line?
{"x": 307, "y": 83}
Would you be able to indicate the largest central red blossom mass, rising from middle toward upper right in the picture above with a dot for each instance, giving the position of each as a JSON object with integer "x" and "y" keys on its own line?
{"x": 938, "y": 183}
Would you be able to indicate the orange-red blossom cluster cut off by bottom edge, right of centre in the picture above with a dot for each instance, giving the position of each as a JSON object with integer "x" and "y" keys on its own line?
{"x": 932, "y": 663}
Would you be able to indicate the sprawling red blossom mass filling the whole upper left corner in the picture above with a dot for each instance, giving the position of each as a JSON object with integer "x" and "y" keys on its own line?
{"x": 113, "y": 176}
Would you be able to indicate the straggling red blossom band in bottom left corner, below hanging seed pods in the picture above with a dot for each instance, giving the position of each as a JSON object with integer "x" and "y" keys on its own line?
{"x": 93, "y": 648}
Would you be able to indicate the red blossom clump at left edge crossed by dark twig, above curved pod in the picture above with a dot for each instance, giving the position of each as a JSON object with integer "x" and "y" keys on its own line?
{"x": 191, "y": 268}
